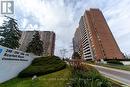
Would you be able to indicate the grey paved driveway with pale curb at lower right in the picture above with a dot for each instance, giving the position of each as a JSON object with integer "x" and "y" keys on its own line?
{"x": 121, "y": 76}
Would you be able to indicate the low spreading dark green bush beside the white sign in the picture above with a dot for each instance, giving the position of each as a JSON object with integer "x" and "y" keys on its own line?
{"x": 43, "y": 65}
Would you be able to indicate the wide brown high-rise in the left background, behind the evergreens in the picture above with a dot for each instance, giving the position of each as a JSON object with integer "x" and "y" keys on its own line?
{"x": 47, "y": 37}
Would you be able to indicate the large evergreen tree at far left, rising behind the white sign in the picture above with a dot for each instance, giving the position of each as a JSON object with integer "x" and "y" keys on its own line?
{"x": 10, "y": 34}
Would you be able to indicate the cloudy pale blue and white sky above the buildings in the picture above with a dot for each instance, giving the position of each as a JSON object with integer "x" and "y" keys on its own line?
{"x": 62, "y": 17}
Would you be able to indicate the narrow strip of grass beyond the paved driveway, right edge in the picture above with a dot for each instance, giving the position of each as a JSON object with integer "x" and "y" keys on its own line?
{"x": 122, "y": 67}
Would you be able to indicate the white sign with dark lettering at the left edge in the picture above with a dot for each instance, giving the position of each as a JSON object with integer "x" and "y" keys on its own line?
{"x": 12, "y": 62}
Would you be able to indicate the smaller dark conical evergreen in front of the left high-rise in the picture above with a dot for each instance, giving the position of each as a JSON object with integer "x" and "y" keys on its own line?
{"x": 36, "y": 45}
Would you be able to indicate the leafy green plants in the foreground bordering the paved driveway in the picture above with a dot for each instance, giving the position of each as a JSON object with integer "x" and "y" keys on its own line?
{"x": 89, "y": 77}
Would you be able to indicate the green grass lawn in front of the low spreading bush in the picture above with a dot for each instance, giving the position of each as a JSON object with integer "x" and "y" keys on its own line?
{"x": 56, "y": 79}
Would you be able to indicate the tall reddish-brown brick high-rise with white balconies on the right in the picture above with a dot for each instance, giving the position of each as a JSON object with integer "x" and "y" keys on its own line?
{"x": 94, "y": 37}
